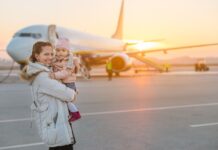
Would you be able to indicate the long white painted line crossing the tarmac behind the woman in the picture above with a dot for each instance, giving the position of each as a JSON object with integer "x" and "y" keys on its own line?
{"x": 126, "y": 111}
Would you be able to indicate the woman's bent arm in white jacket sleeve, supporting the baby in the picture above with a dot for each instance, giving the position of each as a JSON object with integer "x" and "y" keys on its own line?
{"x": 55, "y": 88}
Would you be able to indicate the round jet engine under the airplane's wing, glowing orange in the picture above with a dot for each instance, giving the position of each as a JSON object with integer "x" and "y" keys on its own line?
{"x": 120, "y": 62}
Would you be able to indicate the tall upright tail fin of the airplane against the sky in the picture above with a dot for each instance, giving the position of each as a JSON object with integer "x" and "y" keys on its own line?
{"x": 119, "y": 31}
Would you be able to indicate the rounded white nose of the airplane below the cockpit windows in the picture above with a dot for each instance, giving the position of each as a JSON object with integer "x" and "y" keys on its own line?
{"x": 19, "y": 49}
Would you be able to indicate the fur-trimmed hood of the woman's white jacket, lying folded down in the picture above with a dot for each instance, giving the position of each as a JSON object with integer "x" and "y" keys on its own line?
{"x": 34, "y": 68}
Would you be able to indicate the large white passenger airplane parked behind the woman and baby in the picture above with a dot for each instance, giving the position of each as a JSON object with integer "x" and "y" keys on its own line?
{"x": 93, "y": 50}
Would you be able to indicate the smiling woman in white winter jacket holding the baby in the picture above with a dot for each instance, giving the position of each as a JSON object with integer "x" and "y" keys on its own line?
{"x": 50, "y": 99}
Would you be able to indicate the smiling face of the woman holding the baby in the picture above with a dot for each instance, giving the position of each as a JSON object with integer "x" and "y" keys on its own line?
{"x": 46, "y": 56}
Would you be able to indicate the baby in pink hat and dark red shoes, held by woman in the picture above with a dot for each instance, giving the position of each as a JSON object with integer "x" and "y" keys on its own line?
{"x": 64, "y": 68}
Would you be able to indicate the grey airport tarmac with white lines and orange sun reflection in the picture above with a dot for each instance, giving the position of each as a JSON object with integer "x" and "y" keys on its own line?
{"x": 147, "y": 111}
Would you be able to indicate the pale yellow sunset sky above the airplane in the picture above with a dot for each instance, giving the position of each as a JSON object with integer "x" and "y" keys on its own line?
{"x": 178, "y": 22}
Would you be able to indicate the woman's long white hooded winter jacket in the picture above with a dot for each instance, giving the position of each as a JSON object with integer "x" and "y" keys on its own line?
{"x": 50, "y": 107}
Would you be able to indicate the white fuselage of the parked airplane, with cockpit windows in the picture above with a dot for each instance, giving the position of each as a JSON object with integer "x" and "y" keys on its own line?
{"x": 20, "y": 46}
